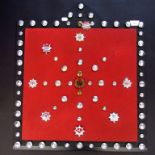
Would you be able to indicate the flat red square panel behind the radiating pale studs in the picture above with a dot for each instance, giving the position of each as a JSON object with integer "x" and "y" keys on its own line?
{"x": 119, "y": 46}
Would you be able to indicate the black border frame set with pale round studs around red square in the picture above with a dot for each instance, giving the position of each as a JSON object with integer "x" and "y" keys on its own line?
{"x": 111, "y": 146}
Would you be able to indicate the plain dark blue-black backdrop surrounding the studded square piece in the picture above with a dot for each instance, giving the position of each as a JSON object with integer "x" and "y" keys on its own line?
{"x": 12, "y": 10}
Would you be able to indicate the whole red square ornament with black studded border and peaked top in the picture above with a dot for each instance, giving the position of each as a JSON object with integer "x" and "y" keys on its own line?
{"x": 80, "y": 85}
